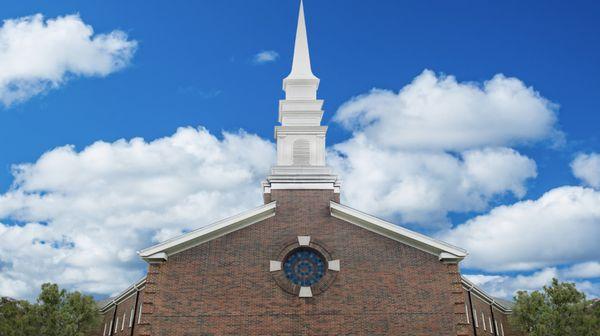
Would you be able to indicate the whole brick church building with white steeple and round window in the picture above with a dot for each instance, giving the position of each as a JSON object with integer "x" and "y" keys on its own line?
{"x": 303, "y": 263}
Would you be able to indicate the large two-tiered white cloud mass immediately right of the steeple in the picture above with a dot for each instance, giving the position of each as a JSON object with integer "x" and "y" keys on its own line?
{"x": 440, "y": 146}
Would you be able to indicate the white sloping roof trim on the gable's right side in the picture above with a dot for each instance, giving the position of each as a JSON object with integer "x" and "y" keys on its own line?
{"x": 444, "y": 251}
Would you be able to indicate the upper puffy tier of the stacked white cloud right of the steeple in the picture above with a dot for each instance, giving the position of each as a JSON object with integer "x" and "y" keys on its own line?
{"x": 438, "y": 112}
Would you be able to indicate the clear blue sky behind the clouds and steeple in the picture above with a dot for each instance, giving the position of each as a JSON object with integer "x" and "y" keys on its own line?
{"x": 194, "y": 65}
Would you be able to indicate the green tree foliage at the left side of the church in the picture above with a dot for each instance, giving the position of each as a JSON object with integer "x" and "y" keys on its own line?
{"x": 56, "y": 313}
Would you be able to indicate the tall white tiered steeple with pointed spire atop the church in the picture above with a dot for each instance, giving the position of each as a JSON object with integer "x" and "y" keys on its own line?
{"x": 301, "y": 138}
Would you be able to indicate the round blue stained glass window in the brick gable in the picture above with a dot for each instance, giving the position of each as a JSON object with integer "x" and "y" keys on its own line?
{"x": 304, "y": 267}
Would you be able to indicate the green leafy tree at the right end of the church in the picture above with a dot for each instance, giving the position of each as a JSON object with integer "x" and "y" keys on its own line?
{"x": 558, "y": 310}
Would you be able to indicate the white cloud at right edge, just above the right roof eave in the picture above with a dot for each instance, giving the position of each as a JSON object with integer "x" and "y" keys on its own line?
{"x": 561, "y": 227}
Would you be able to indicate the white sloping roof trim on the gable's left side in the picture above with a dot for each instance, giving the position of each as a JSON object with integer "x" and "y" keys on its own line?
{"x": 208, "y": 233}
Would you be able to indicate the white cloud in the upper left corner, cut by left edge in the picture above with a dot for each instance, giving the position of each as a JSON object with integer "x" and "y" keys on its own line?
{"x": 37, "y": 54}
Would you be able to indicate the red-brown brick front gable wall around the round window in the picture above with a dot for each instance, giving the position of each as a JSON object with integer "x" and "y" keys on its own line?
{"x": 224, "y": 287}
